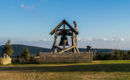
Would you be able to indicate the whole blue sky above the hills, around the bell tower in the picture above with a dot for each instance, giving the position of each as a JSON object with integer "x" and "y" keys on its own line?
{"x": 102, "y": 23}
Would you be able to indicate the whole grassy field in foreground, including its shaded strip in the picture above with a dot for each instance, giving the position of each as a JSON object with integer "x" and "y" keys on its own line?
{"x": 98, "y": 70}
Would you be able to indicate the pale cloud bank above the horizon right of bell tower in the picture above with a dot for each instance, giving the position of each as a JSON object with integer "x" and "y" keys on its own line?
{"x": 112, "y": 43}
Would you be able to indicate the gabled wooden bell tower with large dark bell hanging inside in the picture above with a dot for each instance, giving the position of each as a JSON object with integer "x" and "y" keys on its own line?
{"x": 65, "y": 30}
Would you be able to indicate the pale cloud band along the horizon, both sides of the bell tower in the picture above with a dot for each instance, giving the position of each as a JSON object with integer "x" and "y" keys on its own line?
{"x": 113, "y": 43}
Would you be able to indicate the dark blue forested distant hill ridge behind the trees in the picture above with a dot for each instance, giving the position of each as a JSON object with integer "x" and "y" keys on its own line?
{"x": 35, "y": 50}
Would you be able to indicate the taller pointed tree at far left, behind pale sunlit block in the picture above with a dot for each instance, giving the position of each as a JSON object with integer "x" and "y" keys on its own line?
{"x": 8, "y": 49}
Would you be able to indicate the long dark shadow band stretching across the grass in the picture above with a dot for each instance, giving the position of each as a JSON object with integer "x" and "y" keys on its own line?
{"x": 72, "y": 68}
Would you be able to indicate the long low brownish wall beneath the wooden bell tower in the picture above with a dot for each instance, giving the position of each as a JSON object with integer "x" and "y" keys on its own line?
{"x": 65, "y": 58}
